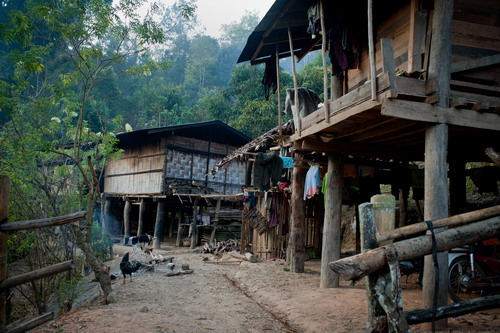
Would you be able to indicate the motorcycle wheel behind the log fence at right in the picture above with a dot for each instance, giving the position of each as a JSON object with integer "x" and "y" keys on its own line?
{"x": 459, "y": 270}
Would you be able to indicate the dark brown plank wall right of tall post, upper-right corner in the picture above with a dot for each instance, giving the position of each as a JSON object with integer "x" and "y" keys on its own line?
{"x": 475, "y": 35}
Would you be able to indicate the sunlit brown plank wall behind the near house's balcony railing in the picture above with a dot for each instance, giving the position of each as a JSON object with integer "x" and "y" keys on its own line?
{"x": 397, "y": 28}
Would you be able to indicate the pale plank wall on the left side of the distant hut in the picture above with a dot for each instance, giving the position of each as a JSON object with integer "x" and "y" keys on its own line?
{"x": 139, "y": 171}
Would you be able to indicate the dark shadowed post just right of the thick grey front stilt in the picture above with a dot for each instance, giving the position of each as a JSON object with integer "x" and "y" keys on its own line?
{"x": 458, "y": 188}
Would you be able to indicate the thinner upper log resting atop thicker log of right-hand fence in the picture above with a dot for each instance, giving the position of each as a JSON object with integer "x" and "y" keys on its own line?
{"x": 450, "y": 222}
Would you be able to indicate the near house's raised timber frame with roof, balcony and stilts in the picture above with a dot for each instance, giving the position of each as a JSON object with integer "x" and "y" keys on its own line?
{"x": 427, "y": 88}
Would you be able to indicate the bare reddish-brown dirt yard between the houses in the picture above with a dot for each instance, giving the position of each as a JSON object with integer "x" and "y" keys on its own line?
{"x": 249, "y": 297}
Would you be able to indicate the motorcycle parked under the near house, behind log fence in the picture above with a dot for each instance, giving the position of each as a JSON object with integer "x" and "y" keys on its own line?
{"x": 474, "y": 271}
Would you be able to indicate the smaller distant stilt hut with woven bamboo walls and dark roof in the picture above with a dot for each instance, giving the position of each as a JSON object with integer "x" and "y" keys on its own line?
{"x": 163, "y": 172}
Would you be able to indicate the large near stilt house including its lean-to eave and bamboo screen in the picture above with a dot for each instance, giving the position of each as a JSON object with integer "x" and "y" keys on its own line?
{"x": 411, "y": 94}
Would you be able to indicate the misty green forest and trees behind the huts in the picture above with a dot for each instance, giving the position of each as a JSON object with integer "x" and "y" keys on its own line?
{"x": 73, "y": 74}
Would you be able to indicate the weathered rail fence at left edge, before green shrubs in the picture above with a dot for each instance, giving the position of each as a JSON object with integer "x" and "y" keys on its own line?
{"x": 6, "y": 283}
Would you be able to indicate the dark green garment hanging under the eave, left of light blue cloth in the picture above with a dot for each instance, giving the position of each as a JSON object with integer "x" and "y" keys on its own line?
{"x": 267, "y": 169}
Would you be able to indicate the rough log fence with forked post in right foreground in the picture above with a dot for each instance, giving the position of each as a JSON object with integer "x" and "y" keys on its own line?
{"x": 380, "y": 265}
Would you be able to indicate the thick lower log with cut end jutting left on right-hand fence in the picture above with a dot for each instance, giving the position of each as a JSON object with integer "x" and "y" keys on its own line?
{"x": 355, "y": 267}
